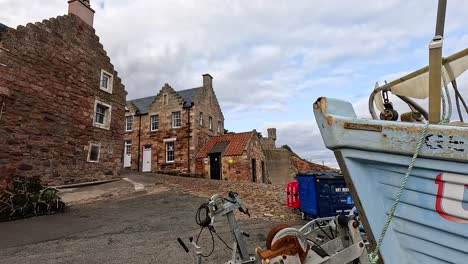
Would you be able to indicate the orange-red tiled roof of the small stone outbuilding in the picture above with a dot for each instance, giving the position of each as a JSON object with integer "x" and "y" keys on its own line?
{"x": 236, "y": 144}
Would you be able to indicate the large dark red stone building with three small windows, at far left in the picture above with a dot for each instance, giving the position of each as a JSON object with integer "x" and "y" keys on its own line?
{"x": 62, "y": 104}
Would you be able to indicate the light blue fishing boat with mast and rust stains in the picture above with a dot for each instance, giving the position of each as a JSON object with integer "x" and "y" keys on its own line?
{"x": 408, "y": 178}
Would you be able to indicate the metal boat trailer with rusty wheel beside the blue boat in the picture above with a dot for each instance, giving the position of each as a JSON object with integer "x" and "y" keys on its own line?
{"x": 328, "y": 240}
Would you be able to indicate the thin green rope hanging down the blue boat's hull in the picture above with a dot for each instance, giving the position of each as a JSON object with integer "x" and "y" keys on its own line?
{"x": 374, "y": 256}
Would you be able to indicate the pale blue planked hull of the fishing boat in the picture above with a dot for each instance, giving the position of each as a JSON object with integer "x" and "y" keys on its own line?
{"x": 430, "y": 224}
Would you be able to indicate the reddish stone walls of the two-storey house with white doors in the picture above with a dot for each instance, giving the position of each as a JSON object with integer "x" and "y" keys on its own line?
{"x": 190, "y": 137}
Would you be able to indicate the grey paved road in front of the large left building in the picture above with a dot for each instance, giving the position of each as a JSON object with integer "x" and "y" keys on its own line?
{"x": 142, "y": 229}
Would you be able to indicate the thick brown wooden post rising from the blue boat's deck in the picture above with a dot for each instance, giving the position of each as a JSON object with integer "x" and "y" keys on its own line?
{"x": 435, "y": 79}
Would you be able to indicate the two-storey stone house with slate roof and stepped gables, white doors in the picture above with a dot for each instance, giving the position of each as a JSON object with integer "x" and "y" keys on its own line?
{"x": 165, "y": 132}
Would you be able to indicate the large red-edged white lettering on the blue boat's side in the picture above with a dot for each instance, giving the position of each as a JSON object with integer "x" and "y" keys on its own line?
{"x": 450, "y": 197}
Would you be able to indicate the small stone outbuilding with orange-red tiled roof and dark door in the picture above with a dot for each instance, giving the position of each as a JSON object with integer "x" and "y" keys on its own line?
{"x": 238, "y": 156}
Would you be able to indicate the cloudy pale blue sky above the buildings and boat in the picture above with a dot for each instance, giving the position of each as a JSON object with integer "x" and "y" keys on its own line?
{"x": 270, "y": 59}
